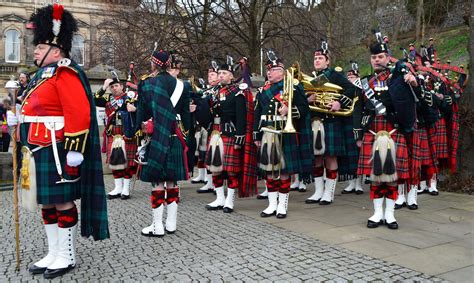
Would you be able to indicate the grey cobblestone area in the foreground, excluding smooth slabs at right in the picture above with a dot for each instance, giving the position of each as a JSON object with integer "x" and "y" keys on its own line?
{"x": 208, "y": 246}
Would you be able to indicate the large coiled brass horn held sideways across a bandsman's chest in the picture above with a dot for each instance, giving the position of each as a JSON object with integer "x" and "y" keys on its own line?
{"x": 325, "y": 93}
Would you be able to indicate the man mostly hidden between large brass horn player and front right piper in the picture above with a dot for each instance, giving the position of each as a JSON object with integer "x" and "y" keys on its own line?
{"x": 355, "y": 184}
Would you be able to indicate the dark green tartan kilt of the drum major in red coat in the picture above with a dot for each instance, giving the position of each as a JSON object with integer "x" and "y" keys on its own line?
{"x": 48, "y": 192}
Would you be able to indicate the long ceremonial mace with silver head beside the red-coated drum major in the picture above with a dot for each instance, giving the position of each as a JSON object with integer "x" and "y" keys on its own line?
{"x": 11, "y": 87}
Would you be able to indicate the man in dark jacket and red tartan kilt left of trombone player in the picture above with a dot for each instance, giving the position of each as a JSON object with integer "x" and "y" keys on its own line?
{"x": 227, "y": 109}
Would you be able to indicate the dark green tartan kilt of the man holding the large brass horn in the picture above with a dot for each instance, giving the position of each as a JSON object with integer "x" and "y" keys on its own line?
{"x": 334, "y": 137}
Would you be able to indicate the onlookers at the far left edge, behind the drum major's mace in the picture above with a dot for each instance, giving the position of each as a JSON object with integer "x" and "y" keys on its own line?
{"x": 6, "y": 107}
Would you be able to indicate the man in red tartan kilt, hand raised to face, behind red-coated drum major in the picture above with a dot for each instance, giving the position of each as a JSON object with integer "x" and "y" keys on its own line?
{"x": 119, "y": 137}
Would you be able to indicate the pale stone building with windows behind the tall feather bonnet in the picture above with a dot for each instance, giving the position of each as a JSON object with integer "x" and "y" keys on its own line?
{"x": 92, "y": 45}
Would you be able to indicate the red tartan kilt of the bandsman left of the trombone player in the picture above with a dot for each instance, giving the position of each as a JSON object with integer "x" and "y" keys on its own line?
{"x": 233, "y": 158}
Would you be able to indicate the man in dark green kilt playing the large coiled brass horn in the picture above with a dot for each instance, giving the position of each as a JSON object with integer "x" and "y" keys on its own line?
{"x": 331, "y": 132}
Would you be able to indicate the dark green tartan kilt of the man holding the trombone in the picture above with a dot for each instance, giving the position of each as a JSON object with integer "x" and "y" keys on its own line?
{"x": 290, "y": 149}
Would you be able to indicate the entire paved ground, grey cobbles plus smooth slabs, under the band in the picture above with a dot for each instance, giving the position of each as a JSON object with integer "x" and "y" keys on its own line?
{"x": 313, "y": 243}
